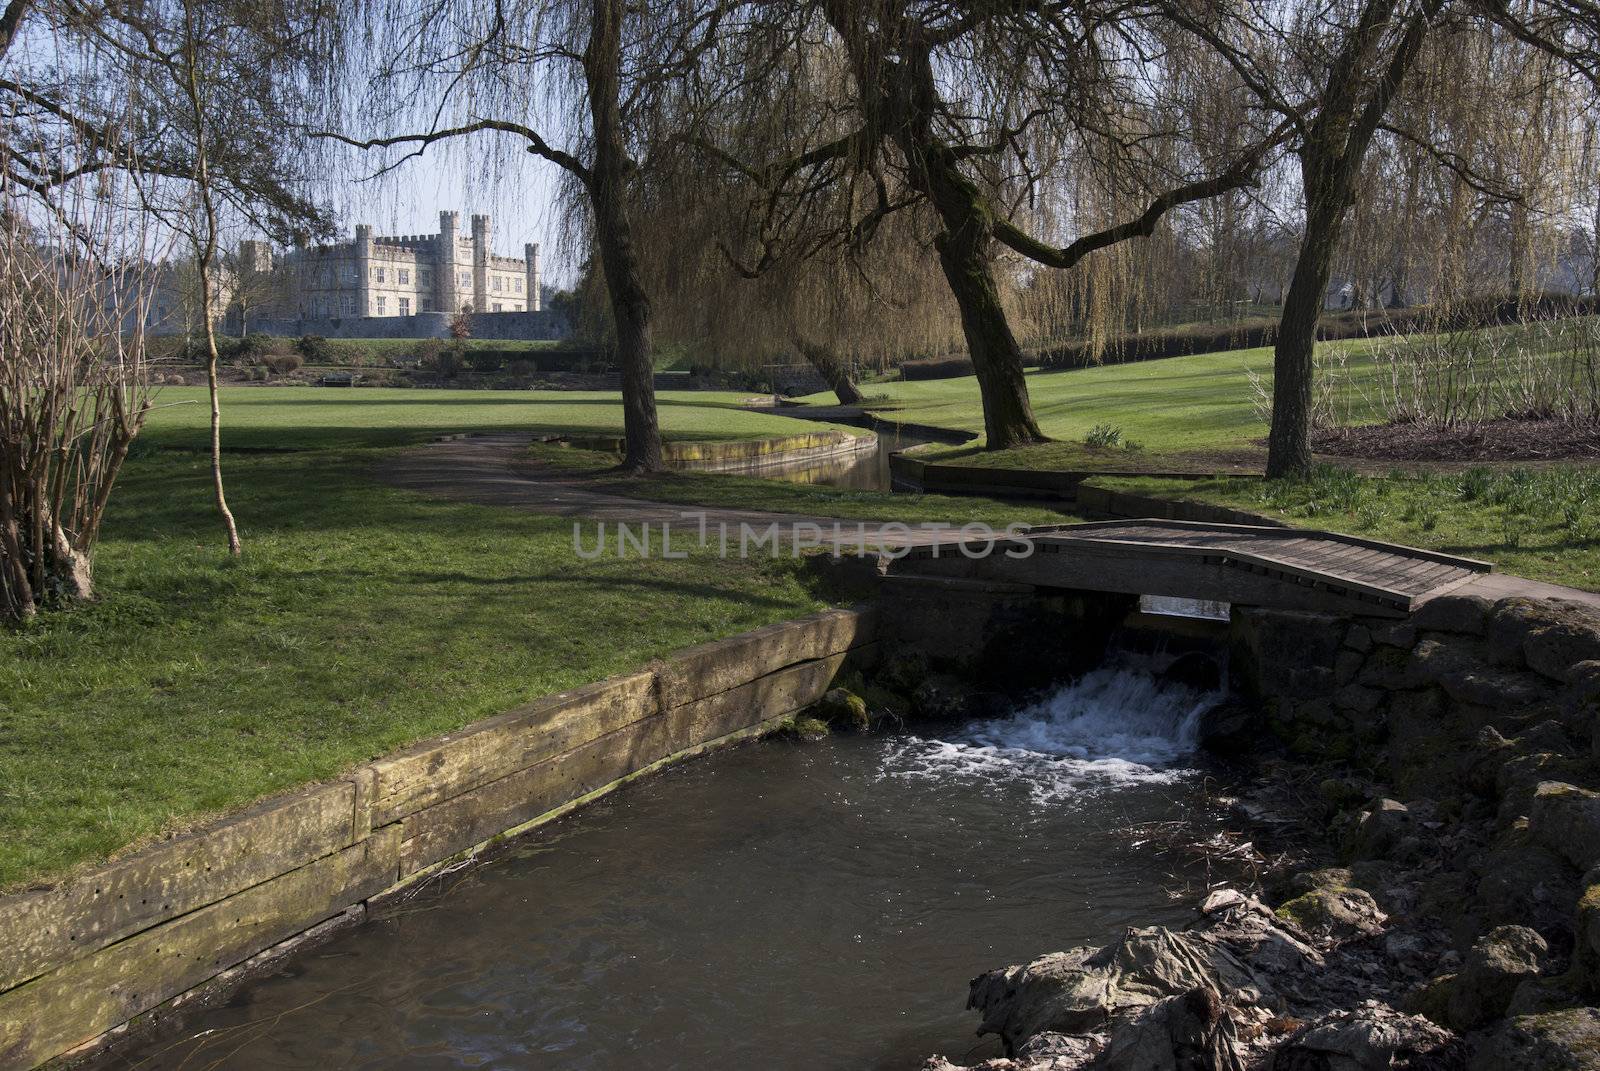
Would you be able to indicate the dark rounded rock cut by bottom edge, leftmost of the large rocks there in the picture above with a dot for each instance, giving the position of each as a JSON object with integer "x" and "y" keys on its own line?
{"x": 1185, "y": 1033}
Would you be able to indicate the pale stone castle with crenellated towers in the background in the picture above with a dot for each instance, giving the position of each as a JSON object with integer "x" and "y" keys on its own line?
{"x": 393, "y": 286}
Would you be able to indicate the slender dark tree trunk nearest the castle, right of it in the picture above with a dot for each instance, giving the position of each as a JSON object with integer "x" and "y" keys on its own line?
{"x": 615, "y": 239}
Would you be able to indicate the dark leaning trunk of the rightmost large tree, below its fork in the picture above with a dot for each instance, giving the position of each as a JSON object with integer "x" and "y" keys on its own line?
{"x": 1294, "y": 356}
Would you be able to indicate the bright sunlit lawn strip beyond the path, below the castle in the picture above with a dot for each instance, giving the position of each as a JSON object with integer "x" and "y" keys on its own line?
{"x": 305, "y": 419}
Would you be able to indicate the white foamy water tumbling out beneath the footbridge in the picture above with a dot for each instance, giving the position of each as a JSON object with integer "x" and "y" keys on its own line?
{"x": 1110, "y": 728}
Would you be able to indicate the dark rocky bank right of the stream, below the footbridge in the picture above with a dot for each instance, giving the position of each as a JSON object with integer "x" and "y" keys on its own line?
{"x": 1455, "y": 918}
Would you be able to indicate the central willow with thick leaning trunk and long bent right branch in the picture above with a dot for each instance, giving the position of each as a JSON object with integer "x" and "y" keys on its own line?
{"x": 967, "y": 114}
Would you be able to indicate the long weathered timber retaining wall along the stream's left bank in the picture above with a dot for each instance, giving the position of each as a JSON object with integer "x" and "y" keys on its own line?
{"x": 129, "y": 941}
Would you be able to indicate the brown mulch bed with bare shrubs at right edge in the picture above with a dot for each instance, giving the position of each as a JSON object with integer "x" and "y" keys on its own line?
{"x": 1495, "y": 441}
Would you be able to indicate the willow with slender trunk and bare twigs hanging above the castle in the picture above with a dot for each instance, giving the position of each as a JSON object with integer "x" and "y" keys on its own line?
{"x": 585, "y": 86}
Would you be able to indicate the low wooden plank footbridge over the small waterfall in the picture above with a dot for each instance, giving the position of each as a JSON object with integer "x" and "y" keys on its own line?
{"x": 1290, "y": 569}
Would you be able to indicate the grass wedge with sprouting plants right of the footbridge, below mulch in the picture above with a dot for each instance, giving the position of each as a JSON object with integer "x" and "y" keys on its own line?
{"x": 1540, "y": 524}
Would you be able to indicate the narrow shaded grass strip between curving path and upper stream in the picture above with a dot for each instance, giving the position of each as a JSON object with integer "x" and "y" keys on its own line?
{"x": 815, "y": 500}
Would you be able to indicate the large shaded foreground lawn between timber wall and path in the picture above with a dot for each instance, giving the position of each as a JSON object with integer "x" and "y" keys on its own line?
{"x": 359, "y": 619}
